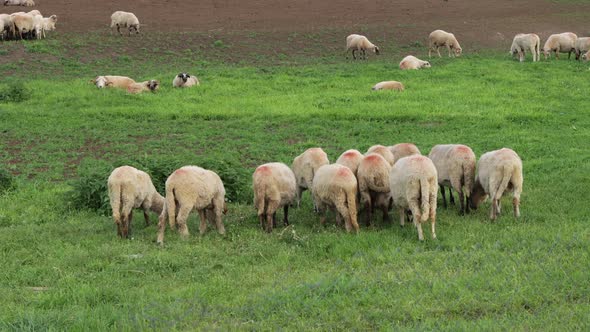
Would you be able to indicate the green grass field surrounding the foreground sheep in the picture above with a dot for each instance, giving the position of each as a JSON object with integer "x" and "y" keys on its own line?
{"x": 64, "y": 268}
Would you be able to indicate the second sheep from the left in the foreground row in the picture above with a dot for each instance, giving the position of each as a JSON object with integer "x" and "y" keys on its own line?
{"x": 192, "y": 188}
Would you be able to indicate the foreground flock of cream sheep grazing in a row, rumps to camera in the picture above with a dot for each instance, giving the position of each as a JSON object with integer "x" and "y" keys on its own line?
{"x": 384, "y": 177}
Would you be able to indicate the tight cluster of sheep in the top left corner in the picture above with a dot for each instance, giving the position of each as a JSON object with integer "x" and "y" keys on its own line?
{"x": 21, "y": 25}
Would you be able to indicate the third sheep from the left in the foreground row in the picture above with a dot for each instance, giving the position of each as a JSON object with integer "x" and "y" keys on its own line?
{"x": 274, "y": 187}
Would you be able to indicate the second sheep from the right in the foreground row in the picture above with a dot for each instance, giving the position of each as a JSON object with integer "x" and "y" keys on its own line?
{"x": 455, "y": 167}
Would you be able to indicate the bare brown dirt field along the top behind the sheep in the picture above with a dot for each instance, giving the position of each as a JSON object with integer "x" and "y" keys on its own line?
{"x": 475, "y": 21}
